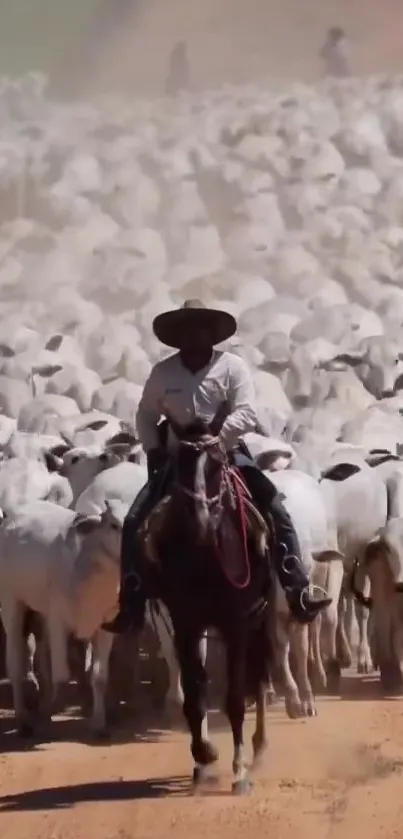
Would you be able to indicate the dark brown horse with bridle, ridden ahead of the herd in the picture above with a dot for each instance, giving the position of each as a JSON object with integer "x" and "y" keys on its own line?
{"x": 204, "y": 553}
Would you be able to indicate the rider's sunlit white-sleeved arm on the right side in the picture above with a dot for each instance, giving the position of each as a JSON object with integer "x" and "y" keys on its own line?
{"x": 241, "y": 400}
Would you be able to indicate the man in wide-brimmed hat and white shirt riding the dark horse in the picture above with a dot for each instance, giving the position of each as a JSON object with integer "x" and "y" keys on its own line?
{"x": 200, "y": 381}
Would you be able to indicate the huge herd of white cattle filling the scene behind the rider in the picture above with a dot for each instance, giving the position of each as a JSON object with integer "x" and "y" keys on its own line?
{"x": 284, "y": 207}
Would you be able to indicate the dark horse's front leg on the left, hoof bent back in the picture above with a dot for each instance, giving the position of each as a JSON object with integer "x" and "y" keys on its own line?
{"x": 194, "y": 685}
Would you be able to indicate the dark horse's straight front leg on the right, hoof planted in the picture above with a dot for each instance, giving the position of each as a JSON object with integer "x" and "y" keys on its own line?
{"x": 235, "y": 709}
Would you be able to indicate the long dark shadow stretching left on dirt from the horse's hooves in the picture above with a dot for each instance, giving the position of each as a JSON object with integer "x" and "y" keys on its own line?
{"x": 58, "y": 798}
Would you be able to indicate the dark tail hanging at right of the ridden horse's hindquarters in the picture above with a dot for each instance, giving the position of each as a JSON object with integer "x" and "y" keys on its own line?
{"x": 259, "y": 653}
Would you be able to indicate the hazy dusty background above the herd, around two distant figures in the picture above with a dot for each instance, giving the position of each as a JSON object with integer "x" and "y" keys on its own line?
{"x": 228, "y": 40}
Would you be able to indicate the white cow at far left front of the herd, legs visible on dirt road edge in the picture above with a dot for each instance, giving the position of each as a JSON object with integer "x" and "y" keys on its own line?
{"x": 66, "y": 568}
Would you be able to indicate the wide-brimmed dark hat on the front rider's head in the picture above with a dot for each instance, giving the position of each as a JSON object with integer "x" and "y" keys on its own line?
{"x": 167, "y": 326}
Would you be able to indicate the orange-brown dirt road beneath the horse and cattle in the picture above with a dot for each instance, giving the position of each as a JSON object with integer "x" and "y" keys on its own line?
{"x": 338, "y": 775}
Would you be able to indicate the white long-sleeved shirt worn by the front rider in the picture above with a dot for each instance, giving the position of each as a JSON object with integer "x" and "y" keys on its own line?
{"x": 173, "y": 391}
